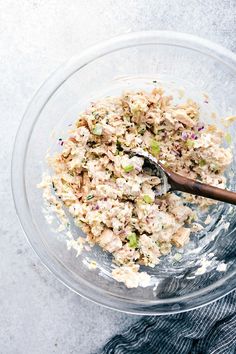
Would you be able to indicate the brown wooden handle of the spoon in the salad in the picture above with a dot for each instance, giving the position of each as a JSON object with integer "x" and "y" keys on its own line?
{"x": 188, "y": 185}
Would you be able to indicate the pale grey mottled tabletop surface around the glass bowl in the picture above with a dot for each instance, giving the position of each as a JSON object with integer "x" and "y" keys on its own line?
{"x": 38, "y": 315}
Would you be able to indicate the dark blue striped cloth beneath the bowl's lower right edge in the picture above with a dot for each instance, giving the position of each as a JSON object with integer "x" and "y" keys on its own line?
{"x": 208, "y": 330}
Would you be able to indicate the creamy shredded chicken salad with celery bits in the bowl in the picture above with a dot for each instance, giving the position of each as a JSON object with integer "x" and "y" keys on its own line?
{"x": 108, "y": 193}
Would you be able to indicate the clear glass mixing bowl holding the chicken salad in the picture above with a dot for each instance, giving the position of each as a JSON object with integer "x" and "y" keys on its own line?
{"x": 184, "y": 65}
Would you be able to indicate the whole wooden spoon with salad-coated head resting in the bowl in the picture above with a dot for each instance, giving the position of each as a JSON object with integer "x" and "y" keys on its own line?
{"x": 174, "y": 182}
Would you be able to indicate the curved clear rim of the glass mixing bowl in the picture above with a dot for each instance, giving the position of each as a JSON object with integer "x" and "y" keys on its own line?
{"x": 197, "y": 298}
